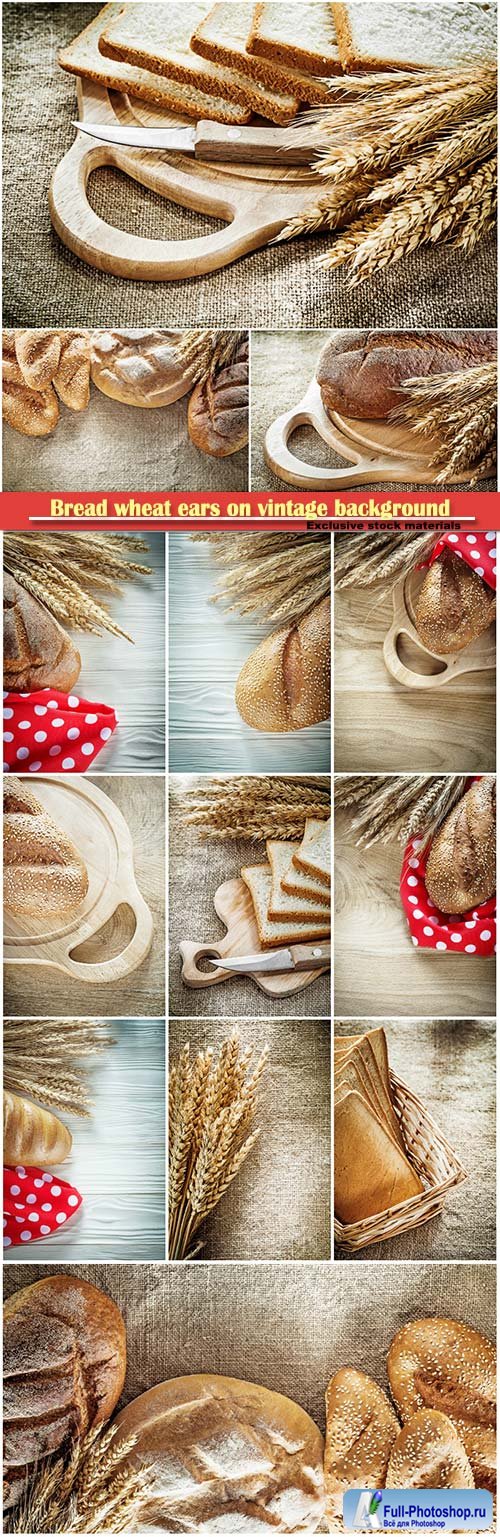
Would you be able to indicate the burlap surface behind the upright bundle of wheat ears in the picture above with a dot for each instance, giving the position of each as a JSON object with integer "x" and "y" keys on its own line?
{"x": 279, "y": 1204}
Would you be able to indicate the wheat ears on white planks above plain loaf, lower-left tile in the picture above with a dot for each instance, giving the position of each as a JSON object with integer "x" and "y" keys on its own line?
{"x": 38, "y": 1057}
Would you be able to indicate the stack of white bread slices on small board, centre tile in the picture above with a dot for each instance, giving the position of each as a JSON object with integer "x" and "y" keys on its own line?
{"x": 292, "y": 894}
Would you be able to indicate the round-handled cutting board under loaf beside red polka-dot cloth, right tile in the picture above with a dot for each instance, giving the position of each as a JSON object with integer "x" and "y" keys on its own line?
{"x": 436, "y": 669}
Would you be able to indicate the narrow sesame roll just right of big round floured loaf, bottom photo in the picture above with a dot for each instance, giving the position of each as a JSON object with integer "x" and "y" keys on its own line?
{"x": 361, "y": 1433}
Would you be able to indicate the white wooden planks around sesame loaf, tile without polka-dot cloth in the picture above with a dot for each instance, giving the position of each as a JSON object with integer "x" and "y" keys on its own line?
{"x": 207, "y": 651}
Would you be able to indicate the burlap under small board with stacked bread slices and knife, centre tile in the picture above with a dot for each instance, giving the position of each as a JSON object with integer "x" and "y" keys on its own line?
{"x": 196, "y": 871}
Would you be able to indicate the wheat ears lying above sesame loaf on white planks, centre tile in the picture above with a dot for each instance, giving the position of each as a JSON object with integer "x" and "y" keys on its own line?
{"x": 275, "y": 579}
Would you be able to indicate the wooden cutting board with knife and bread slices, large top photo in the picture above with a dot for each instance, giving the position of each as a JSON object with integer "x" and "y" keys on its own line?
{"x": 255, "y": 202}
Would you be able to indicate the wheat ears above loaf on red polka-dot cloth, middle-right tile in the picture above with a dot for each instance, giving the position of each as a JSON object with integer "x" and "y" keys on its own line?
{"x": 392, "y": 808}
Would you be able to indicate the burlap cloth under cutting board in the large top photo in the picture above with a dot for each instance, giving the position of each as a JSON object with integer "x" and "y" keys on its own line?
{"x": 45, "y": 285}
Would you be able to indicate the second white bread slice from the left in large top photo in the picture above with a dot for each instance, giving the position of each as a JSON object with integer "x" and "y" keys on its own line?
{"x": 159, "y": 38}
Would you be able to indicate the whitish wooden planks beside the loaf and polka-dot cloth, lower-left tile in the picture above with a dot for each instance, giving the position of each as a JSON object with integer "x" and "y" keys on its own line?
{"x": 118, "y": 1160}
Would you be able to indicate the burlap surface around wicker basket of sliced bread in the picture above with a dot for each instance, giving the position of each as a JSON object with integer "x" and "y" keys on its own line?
{"x": 450, "y": 1064}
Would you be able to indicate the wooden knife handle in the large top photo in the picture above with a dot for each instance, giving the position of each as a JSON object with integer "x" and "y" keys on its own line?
{"x": 248, "y": 145}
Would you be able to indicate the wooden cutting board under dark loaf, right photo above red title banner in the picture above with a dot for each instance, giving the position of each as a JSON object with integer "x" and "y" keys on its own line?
{"x": 376, "y": 451}
